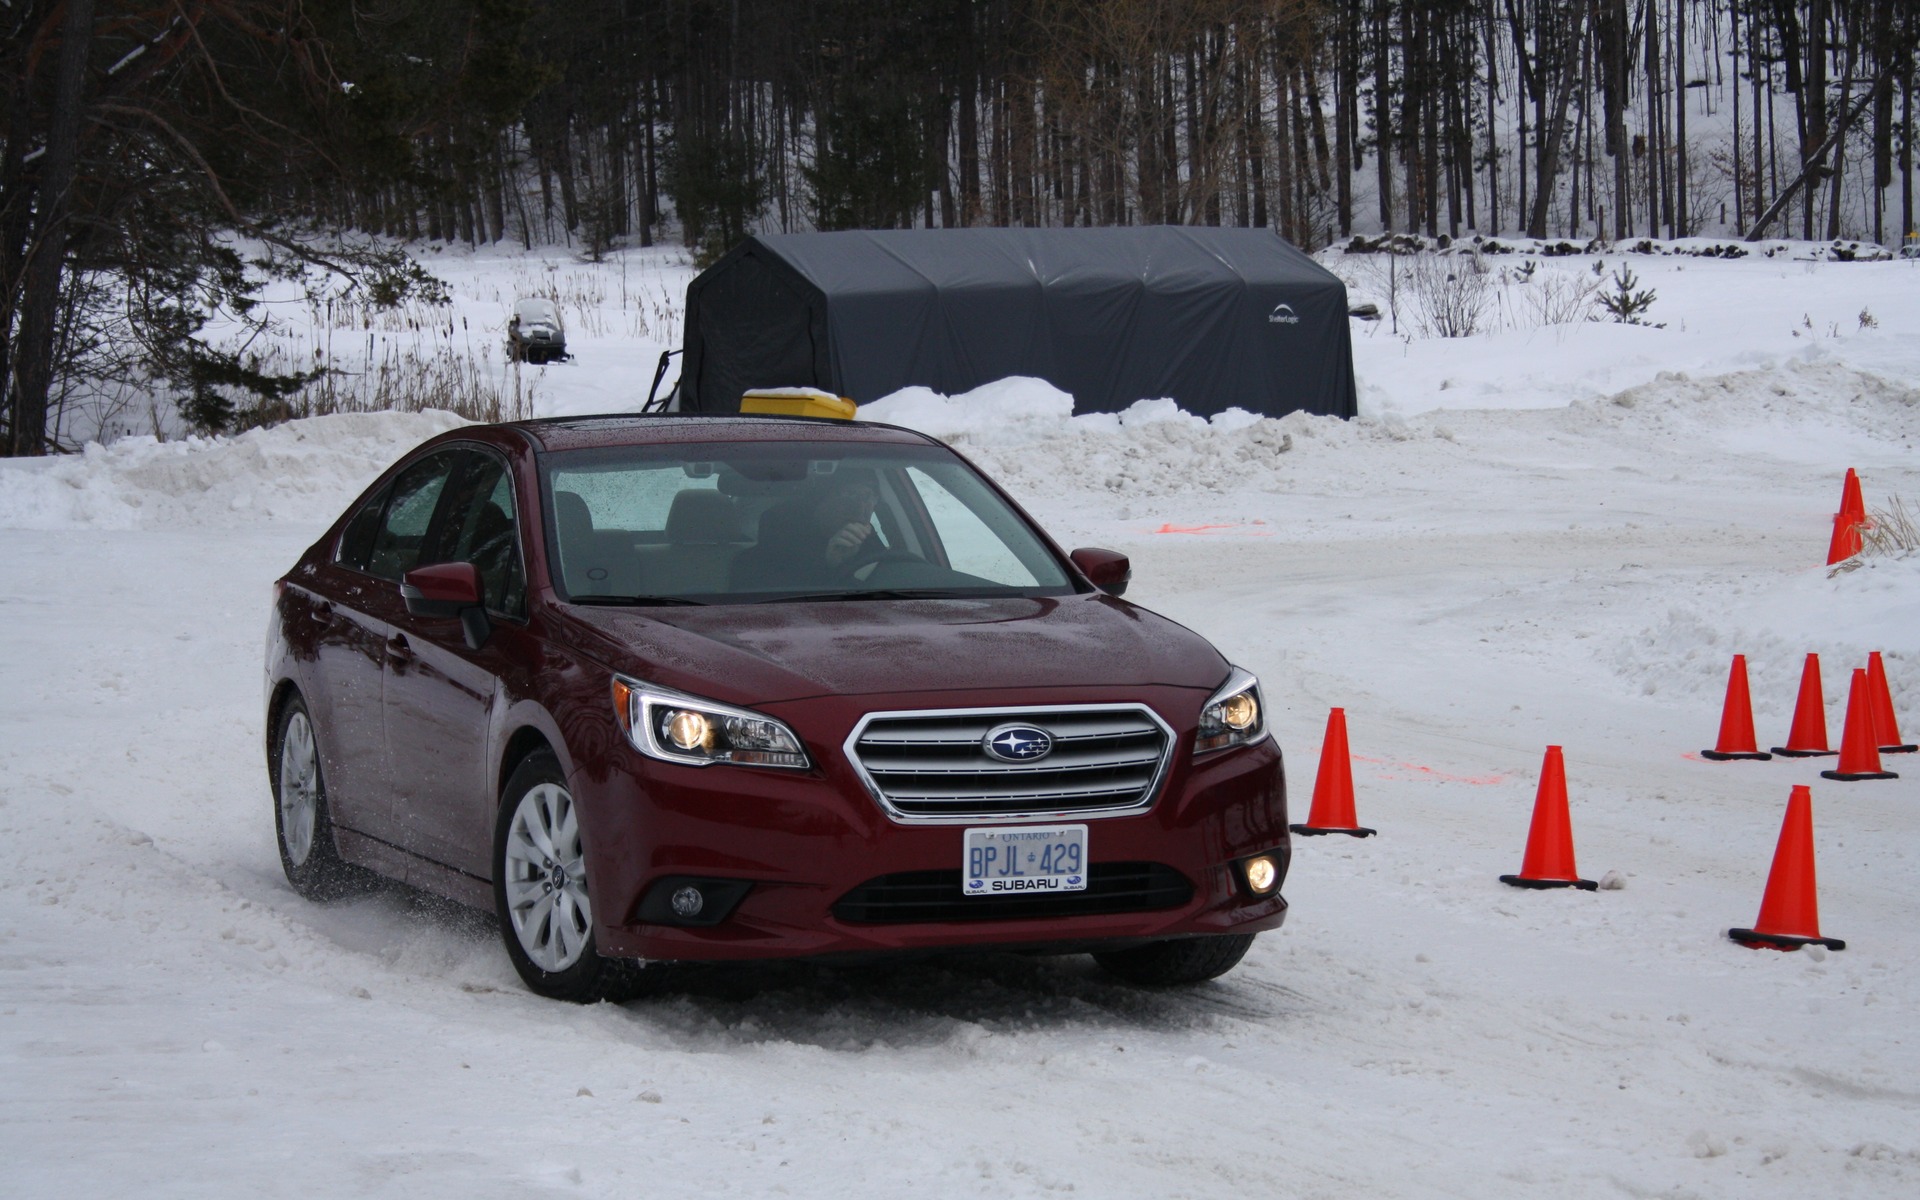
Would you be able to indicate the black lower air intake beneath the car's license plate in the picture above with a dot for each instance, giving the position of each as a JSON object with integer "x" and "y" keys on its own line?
{"x": 936, "y": 898}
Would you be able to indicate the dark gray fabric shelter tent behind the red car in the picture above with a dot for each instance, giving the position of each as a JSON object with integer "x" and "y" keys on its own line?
{"x": 1212, "y": 318}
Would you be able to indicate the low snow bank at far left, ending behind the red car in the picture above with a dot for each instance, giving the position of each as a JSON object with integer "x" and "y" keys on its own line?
{"x": 302, "y": 471}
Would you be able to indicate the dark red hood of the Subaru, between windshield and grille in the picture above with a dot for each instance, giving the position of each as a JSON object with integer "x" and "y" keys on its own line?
{"x": 784, "y": 652}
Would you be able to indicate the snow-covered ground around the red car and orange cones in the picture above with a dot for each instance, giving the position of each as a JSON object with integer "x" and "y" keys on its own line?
{"x": 1533, "y": 537}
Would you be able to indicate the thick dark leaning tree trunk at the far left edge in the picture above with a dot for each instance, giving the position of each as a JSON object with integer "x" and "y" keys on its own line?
{"x": 47, "y": 247}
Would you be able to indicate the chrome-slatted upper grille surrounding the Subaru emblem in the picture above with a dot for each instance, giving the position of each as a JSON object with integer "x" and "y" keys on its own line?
{"x": 934, "y": 767}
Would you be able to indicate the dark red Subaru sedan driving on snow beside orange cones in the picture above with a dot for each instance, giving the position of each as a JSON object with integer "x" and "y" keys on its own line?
{"x": 717, "y": 688}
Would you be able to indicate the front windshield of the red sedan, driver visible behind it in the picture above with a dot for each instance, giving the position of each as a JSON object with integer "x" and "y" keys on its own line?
{"x": 782, "y": 521}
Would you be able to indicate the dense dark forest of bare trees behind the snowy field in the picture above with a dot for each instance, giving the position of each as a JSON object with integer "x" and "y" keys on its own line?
{"x": 143, "y": 135}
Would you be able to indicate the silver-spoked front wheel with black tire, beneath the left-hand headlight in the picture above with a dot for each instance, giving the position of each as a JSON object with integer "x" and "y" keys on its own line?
{"x": 542, "y": 896}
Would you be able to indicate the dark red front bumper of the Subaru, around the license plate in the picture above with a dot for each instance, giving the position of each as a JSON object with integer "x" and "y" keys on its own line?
{"x": 805, "y": 840}
